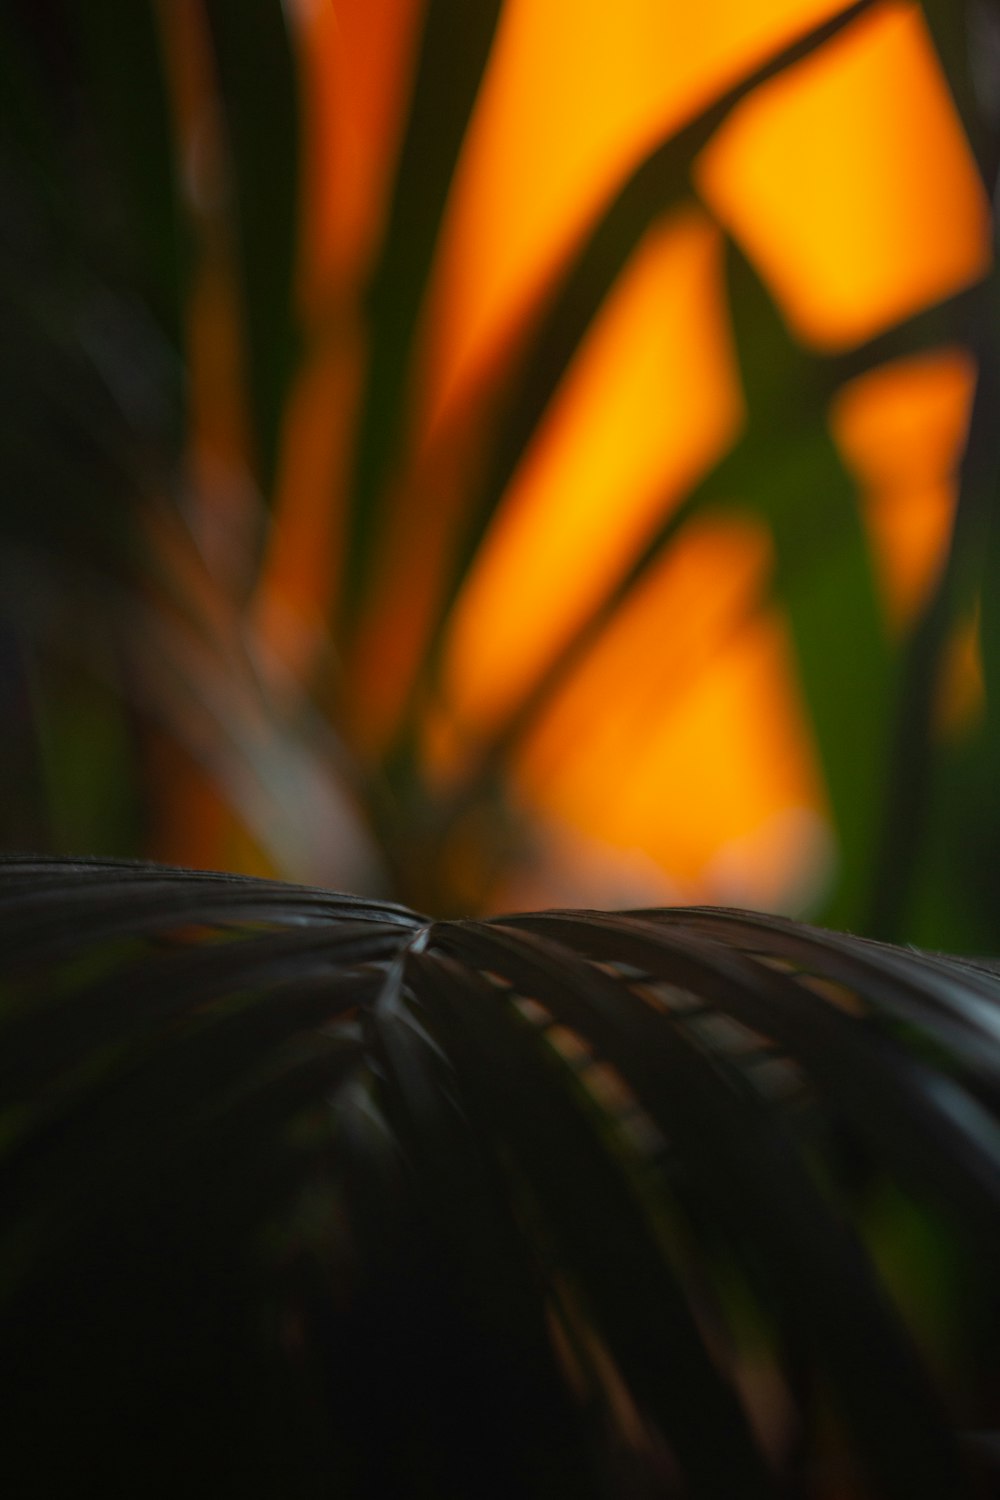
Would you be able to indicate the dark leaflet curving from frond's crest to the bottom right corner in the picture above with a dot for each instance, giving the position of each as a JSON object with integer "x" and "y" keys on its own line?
{"x": 755, "y": 1183}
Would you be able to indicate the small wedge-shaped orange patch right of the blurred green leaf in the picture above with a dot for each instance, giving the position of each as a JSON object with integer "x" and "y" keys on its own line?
{"x": 902, "y": 431}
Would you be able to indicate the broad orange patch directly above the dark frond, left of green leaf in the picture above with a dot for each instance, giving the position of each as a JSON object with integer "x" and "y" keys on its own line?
{"x": 681, "y": 739}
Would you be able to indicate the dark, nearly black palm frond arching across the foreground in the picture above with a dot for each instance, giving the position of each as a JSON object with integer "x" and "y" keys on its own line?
{"x": 305, "y": 1195}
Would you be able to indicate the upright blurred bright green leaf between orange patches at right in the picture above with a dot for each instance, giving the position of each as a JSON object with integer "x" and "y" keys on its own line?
{"x": 791, "y": 475}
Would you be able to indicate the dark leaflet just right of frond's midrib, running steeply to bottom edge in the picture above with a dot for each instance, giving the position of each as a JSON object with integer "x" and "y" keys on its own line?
{"x": 600, "y": 1237}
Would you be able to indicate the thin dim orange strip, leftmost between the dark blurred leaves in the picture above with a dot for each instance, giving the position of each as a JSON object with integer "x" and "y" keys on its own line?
{"x": 193, "y": 817}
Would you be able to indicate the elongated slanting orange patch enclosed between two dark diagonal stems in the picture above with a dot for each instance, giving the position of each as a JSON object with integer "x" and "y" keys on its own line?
{"x": 648, "y": 406}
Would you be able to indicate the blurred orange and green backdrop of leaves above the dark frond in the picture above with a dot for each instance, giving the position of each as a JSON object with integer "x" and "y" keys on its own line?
{"x": 507, "y": 454}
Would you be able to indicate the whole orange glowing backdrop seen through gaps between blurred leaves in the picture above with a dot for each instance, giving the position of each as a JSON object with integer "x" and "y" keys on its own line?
{"x": 677, "y": 757}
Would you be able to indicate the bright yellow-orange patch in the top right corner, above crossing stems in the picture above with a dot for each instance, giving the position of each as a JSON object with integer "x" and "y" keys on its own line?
{"x": 851, "y": 182}
